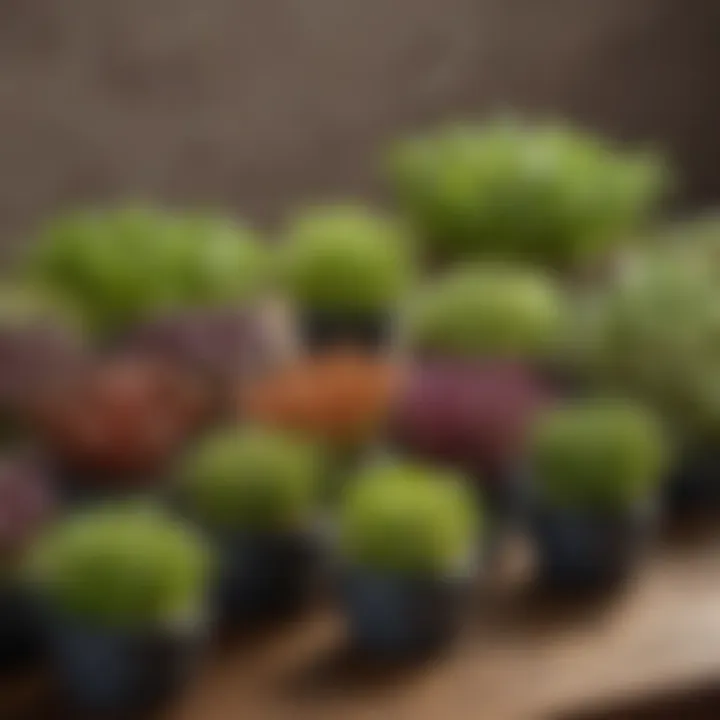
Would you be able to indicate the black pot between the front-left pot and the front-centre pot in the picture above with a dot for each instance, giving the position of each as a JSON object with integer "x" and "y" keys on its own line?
{"x": 265, "y": 575}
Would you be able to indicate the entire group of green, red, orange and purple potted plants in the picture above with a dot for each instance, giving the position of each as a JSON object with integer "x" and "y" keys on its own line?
{"x": 447, "y": 373}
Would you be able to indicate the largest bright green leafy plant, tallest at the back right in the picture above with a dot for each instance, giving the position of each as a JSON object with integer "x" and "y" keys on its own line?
{"x": 543, "y": 193}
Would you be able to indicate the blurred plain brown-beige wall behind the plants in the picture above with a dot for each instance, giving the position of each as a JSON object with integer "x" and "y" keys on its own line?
{"x": 263, "y": 103}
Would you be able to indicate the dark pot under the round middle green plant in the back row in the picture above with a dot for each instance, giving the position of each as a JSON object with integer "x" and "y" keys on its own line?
{"x": 325, "y": 330}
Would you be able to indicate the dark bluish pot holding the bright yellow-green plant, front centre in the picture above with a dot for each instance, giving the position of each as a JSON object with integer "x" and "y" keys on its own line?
{"x": 396, "y": 616}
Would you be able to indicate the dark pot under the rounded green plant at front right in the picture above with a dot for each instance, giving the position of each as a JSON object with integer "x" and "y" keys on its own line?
{"x": 584, "y": 550}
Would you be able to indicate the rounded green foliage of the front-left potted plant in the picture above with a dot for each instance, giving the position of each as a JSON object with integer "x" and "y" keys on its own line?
{"x": 125, "y": 567}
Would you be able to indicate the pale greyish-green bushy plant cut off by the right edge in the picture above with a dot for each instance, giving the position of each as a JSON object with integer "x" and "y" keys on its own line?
{"x": 653, "y": 335}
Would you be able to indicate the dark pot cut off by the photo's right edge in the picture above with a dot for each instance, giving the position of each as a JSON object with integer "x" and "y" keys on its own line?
{"x": 693, "y": 486}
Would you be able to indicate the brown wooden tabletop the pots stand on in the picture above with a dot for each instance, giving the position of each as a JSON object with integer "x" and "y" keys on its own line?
{"x": 522, "y": 657}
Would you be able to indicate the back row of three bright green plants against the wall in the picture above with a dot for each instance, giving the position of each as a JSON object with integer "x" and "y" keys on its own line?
{"x": 546, "y": 196}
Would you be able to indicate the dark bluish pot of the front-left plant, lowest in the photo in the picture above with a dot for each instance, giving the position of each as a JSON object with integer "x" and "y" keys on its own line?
{"x": 106, "y": 670}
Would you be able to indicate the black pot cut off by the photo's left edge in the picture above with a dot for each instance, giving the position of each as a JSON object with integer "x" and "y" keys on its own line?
{"x": 20, "y": 631}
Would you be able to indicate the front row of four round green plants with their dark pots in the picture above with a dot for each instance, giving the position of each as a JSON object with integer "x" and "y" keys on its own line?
{"x": 126, "y": 593}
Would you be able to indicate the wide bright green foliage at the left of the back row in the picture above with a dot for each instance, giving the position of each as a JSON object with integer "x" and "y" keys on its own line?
{"x": 118, "y": 266}
